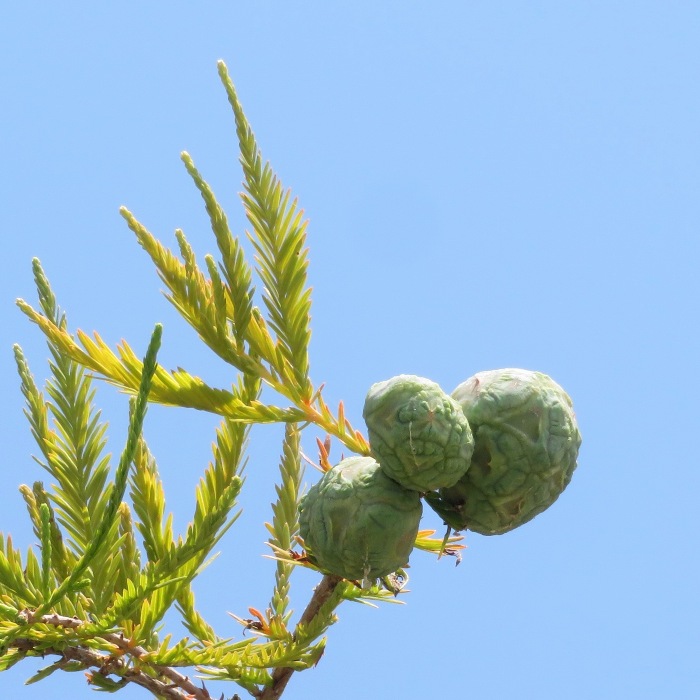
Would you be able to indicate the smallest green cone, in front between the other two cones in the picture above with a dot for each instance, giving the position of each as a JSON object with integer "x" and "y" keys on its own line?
{"x": 418, "y": 433}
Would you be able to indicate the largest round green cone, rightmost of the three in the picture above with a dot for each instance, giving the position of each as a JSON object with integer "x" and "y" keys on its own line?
{"x": 526, "y": 443}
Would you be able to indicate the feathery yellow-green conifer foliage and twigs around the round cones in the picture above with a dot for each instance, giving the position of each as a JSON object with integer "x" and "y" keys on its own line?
{"x": 109, "y": 565}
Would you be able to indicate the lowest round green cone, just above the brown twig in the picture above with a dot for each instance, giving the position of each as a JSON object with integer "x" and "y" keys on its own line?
{"x": 358, "y": 523}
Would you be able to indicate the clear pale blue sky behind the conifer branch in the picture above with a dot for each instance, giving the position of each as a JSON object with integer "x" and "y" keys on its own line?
{"x": 489, "y": 184}
